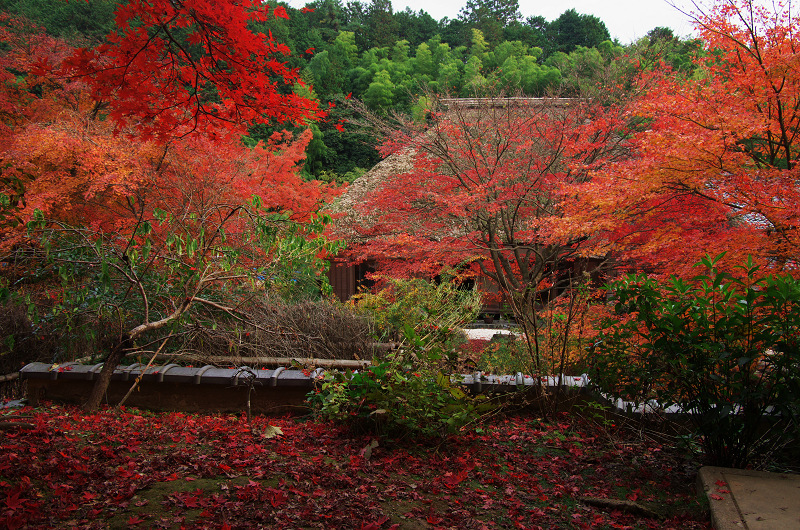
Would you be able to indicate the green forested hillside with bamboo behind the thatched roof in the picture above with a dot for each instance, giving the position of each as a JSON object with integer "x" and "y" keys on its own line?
{"x": 387, "y": 58}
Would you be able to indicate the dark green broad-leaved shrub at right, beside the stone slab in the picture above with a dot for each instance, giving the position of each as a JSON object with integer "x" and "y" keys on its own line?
{"x": 725, "y": 349}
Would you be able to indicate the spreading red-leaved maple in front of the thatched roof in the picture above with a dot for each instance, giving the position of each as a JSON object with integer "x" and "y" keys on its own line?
{"x": 487, "y": 188}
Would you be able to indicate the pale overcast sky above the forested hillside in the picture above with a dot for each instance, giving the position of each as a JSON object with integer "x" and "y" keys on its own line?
{"x": 626, "y": 20}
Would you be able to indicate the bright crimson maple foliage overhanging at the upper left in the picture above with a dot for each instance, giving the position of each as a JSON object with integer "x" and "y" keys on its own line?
{"x": 171, "y": 68}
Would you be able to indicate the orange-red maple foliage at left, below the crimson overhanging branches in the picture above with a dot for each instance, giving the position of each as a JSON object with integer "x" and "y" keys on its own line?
{"x": 61, "y": 158}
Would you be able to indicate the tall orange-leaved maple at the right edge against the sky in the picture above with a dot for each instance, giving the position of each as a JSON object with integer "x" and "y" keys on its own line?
{"x": 717, "y": 165}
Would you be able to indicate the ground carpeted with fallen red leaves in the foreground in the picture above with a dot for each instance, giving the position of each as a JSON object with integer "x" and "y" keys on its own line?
{"x": 171, "y": 470}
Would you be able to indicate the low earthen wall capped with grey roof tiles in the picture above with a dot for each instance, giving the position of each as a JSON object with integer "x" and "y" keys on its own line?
{"x": 212, "y": 389}
